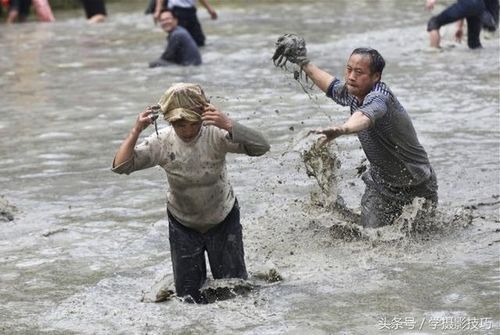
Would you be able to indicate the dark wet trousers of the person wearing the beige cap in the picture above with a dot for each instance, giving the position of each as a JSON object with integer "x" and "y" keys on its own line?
{"x": 223, "y": 245}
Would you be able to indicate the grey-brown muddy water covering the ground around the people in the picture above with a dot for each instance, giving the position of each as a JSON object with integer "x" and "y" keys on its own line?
{"x": 85, "y": 242}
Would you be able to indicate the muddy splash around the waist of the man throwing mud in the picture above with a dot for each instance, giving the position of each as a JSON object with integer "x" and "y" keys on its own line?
{"x": 418, "y": 220}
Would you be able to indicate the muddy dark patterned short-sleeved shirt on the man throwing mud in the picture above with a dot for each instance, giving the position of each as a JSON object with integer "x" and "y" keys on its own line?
{"x": 397, "y": 159}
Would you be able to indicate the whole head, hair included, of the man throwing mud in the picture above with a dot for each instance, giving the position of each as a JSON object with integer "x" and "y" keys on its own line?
{"x": 364, "y": 69}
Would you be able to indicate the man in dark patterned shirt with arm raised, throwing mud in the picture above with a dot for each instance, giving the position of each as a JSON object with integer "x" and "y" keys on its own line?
{"x": 399, "y": 167}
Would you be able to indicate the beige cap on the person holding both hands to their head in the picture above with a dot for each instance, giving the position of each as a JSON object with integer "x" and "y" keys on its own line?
{"x": 183, "y": 101}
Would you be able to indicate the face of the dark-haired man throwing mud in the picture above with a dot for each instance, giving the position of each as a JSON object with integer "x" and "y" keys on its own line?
{"x": 358, "y": 76}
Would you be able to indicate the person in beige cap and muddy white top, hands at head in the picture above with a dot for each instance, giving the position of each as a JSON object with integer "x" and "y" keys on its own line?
{"x": 203, "y": 212}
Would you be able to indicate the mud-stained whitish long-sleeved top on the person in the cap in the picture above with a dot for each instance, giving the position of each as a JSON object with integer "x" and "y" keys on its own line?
{"x": 199, "y": 195}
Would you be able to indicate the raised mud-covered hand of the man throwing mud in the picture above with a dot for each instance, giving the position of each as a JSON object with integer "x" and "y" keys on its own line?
{"x": 291, "y": 48}
